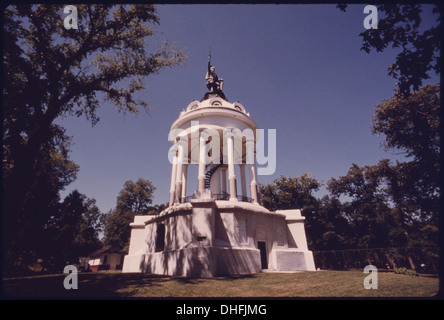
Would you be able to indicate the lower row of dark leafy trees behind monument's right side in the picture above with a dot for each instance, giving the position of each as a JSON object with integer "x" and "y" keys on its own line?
{"x": 369, "y": 207}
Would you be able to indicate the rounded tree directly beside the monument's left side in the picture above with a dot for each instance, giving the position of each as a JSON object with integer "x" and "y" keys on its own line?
{"x": 133, "y": 199}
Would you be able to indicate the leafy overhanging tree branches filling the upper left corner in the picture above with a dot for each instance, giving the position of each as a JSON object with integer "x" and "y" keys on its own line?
{"x": 64, "y": 70}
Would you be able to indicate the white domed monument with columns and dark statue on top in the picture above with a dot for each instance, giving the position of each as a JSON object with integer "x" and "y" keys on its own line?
{"x": 221, "y": 229}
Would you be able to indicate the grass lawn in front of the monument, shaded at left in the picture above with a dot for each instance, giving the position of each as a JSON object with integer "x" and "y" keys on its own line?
{"x": 304, "y": 284}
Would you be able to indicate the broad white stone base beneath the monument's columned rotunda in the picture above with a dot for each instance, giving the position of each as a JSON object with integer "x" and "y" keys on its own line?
{"x": 209, "y": 238}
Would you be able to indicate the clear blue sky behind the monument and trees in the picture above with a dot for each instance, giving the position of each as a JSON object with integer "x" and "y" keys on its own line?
{"x": 295, "y": 68}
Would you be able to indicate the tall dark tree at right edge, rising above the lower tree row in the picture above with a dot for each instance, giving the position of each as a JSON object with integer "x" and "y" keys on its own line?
{"x": 412, "y": 125}
